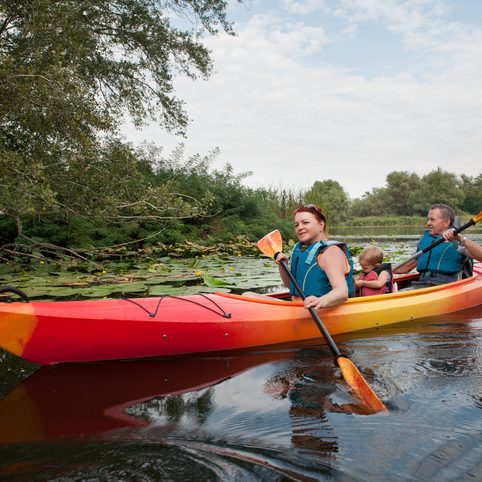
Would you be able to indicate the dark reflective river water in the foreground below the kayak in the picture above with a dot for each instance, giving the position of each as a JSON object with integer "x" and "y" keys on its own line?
{"x": 273, "y": 414}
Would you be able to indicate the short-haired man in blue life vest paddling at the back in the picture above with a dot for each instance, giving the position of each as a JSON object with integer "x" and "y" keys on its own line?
{"x": 444, "y": 263}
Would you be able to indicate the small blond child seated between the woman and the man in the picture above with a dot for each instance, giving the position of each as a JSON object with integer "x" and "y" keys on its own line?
{"x": 376, "y": 277}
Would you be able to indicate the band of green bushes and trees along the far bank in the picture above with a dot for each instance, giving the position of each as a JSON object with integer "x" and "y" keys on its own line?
{"x": 203, "y": 204}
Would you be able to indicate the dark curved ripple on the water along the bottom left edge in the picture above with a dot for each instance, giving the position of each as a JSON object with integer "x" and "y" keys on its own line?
{"x": 151, "y": 459}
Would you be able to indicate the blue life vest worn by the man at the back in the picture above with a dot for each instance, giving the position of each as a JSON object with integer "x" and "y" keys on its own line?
{"x": 444, "y": 259}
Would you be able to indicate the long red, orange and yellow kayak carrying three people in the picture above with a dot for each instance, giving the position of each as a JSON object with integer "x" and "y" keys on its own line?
{"x": 50, "y": 332}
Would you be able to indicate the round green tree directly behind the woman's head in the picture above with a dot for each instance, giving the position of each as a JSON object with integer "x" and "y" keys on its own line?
{"x": 331, "y": 197}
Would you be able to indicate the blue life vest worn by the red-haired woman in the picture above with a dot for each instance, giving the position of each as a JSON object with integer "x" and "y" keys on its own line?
{"x": 307, "y": 272}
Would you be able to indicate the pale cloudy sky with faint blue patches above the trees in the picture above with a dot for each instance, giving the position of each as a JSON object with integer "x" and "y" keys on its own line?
{"x": 348, "y": 90}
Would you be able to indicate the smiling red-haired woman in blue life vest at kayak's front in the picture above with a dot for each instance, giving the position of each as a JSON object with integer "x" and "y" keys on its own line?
{"x": 323, "y": 268}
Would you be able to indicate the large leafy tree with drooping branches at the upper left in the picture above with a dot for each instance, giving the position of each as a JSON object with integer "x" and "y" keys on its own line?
{"x": 69, "y": 73}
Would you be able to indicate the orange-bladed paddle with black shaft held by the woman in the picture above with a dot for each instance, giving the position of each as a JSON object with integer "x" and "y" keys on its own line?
{"x": 271, "y": 245}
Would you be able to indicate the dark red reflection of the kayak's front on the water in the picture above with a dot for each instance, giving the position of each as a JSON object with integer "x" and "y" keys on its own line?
{"x": 68, "y": 400}
